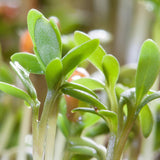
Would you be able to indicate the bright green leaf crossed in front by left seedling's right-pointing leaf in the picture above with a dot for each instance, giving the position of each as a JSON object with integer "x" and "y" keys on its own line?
{"x": 97, "y": 56}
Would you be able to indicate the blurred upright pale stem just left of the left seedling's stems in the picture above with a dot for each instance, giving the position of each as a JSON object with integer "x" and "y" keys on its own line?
{"x": 24, "y": 130}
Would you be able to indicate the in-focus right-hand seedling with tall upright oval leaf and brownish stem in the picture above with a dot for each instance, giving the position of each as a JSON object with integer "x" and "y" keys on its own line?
{"x": 135, "y": 99}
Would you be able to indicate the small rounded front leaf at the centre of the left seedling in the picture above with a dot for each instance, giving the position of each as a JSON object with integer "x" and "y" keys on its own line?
{"x": 54, "y": 73}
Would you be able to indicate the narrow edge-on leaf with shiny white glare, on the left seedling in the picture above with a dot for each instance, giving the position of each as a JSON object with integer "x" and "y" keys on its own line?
{"x": 24, "y": 77}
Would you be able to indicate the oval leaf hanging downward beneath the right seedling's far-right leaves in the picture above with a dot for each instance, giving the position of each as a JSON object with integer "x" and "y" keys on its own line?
{"x": 146, "y": 120}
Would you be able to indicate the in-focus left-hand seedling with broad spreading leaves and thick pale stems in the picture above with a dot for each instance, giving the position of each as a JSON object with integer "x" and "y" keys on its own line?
{"x": 48, "y": 61}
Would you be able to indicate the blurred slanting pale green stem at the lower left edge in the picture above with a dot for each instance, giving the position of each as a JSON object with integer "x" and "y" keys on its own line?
{"x": 7, "y": 129}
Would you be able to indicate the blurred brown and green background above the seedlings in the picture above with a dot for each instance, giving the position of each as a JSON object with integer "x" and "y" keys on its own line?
{"x": 128, "y": 22}
